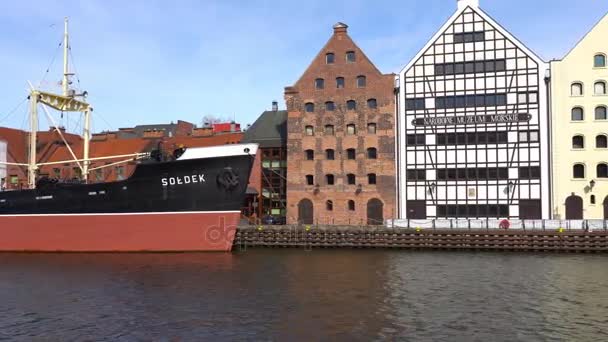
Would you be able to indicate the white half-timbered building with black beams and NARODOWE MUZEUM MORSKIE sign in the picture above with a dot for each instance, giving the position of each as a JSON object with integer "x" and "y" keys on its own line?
{"x": 473, "y": 125}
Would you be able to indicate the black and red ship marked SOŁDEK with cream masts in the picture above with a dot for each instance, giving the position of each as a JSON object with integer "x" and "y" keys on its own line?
{"x": 188, "y": 202}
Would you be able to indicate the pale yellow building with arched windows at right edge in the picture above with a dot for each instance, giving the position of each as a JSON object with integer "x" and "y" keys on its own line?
{"x": 580, "y": 129}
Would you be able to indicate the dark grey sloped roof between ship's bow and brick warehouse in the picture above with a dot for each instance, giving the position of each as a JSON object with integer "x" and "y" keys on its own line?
{"x": 269, "y": 130}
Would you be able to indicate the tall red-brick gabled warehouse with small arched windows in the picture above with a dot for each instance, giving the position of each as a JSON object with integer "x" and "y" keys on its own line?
{"x": 340, "y": 146}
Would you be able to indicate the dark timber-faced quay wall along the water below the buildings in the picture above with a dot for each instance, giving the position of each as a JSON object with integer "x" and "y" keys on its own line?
{"x": 550, "y": 240}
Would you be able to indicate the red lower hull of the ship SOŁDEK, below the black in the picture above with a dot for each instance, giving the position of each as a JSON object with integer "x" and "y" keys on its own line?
{"x": 123, "y": 232}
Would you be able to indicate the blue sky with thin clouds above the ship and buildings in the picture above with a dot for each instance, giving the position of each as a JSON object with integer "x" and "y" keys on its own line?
{"x": 148, "y": 62}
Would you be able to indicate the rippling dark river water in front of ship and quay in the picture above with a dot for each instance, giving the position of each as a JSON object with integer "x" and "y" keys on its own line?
{"x": 276, "y": 295}
